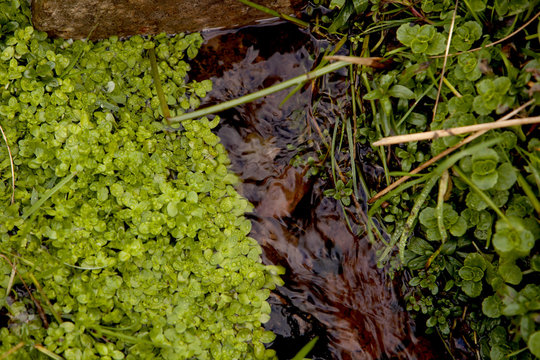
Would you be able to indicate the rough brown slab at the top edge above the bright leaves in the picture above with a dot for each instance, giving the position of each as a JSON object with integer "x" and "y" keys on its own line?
{"x": 103, "y": 18}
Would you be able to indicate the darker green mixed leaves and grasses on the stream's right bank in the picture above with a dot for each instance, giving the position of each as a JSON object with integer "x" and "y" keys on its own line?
{"x": 462, "y": 211}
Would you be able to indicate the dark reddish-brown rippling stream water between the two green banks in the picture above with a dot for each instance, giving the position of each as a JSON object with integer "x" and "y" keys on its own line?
{"x": 333, "y": 288}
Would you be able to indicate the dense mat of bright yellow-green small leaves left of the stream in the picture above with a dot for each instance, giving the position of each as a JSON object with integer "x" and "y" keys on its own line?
{"x": 125, "y": 237}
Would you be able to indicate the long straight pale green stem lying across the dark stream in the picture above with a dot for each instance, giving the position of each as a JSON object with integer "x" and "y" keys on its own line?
{"x": 259, "y": 94}
